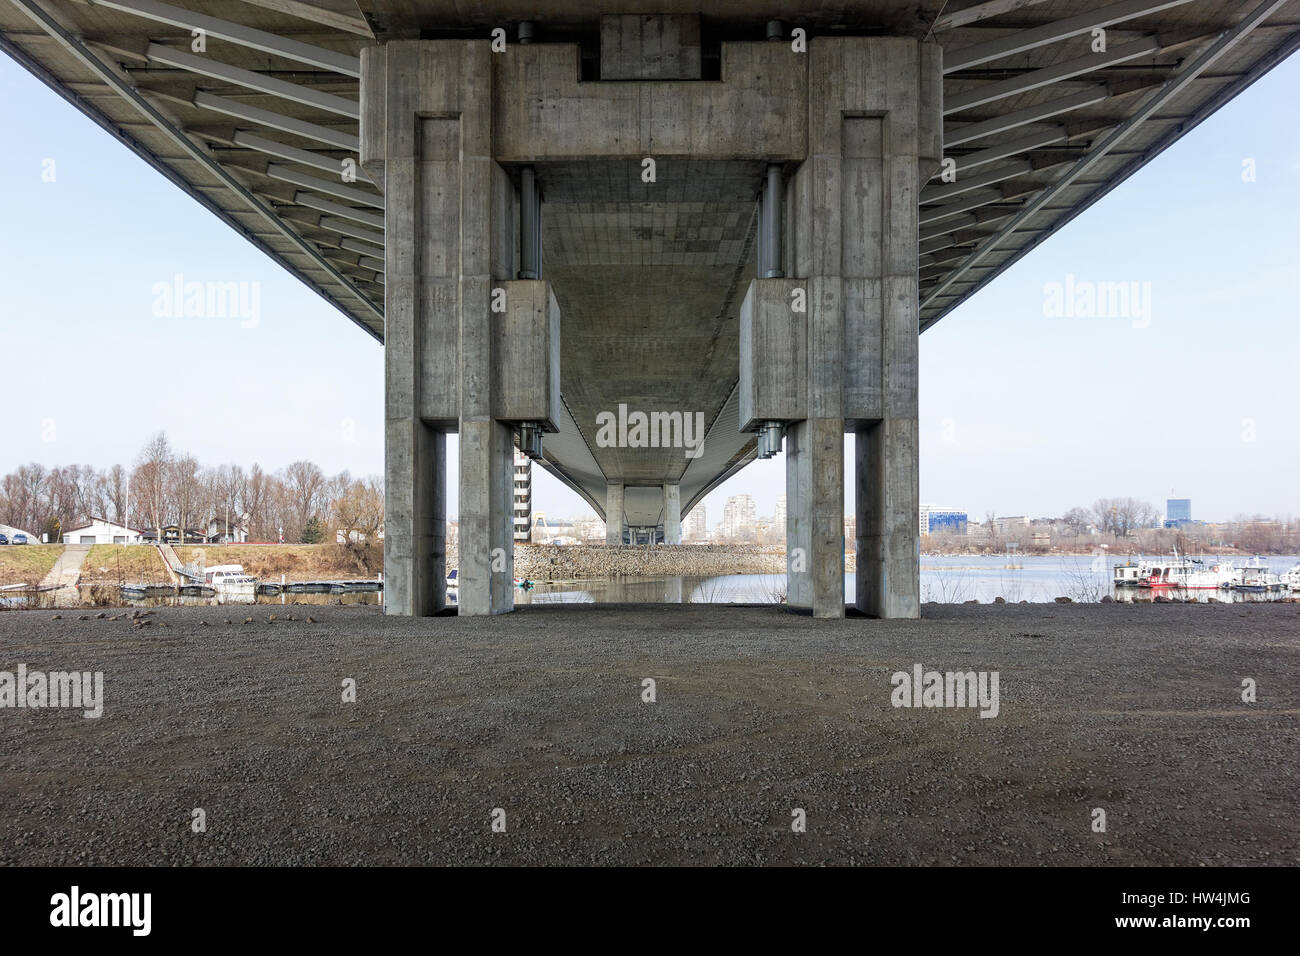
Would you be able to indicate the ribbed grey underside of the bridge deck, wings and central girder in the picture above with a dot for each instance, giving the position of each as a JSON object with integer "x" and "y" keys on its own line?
{"x": 647, "y": 275}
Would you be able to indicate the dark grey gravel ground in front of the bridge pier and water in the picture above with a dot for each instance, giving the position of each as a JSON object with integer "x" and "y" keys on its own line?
{"x": 1133, "y": 710}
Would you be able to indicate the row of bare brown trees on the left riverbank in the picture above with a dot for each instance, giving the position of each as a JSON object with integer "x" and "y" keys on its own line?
{"x": 168, "y": 487}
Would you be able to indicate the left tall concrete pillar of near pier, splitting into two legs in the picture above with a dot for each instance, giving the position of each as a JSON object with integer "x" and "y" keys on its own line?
{"x": 449, "y": 237}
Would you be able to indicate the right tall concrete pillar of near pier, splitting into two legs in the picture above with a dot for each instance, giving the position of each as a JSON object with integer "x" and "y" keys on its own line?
{"x": 874, "y": 136}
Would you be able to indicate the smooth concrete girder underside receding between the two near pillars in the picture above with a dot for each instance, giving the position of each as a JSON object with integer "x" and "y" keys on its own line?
{"x": 649, "y": 278}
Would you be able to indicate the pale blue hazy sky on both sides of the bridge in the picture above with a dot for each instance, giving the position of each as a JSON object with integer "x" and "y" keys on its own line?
{"x": 1026, "y": 408}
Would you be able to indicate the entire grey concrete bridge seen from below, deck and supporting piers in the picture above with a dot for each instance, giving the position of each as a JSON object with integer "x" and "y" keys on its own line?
{"x": 522, "y": 171}
